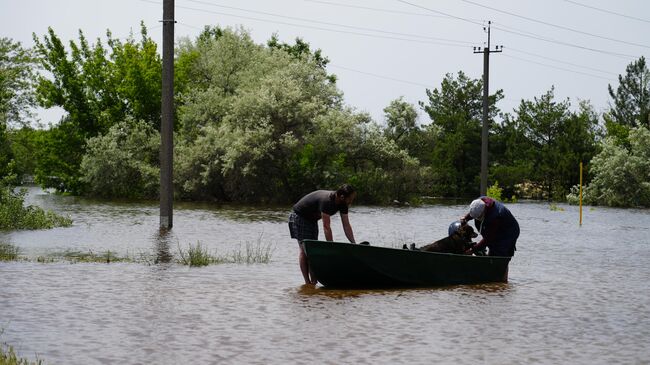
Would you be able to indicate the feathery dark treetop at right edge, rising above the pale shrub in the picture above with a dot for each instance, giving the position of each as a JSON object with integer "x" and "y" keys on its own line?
{"x": 632, "y": 96}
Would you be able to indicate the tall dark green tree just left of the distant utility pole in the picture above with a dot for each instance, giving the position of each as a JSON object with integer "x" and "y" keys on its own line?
{"x": 456, "y": 113}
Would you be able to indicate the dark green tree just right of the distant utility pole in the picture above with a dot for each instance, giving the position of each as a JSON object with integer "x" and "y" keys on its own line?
{"x": 543, "y": 145}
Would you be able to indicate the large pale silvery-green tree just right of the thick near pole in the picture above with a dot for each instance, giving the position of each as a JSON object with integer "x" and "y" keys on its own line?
{"x": 243, "y": 123}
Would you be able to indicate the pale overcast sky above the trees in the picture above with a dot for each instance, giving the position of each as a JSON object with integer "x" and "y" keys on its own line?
{"x": 381, "y": 50}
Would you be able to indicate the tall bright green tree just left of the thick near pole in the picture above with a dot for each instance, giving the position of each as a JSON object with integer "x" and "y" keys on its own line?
{"x": 97, "y": 90}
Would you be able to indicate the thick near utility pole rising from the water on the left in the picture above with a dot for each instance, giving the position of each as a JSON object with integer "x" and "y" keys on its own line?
{"x": 167, "y": 122}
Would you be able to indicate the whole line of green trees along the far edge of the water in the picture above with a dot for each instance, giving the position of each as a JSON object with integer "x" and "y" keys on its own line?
{"x": 267, "y": 123}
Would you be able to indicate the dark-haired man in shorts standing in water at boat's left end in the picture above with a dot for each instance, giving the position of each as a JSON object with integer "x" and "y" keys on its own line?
{"x": 319, "y": 204}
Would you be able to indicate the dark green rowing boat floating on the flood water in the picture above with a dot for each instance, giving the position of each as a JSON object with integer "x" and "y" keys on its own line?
{"x": 346, "y": 265}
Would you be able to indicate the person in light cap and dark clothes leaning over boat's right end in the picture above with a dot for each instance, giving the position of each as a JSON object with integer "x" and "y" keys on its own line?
{"x": 498, "y": 227}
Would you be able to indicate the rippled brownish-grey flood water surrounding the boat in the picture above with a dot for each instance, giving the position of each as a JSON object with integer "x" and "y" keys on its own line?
{"x": 576, "y": 295}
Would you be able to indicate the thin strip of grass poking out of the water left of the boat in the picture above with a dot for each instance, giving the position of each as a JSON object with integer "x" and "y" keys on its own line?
{"x": 195, "y": 255}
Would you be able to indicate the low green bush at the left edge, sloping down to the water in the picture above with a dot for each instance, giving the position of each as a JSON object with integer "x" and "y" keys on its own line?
{"x": 14, "y": 215}
